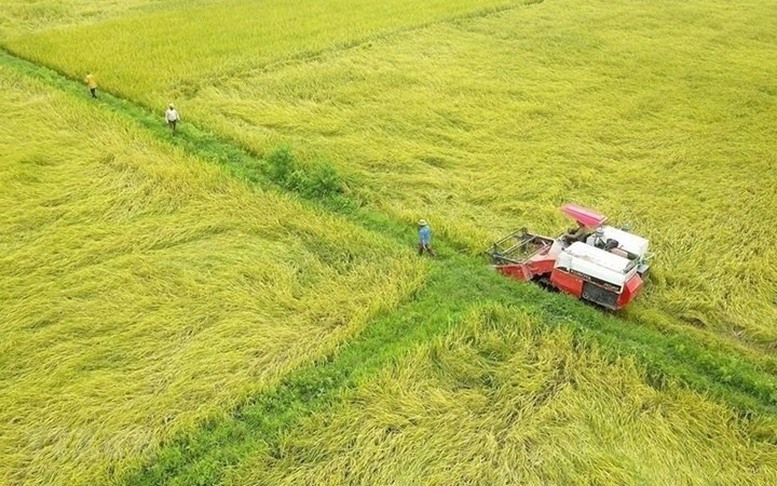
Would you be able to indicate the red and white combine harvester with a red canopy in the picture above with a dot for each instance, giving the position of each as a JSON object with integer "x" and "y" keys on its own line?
{"x": 594, "y": 262}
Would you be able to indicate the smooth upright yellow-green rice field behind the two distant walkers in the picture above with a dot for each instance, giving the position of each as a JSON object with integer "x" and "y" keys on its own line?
{"x": 172, "y": 52}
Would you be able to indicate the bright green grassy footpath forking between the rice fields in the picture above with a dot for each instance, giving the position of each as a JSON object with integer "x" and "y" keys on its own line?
{"x": 456, "y": 284}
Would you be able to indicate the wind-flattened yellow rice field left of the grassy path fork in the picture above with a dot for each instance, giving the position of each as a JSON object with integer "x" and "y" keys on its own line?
{"x": 144, "y": 290}
